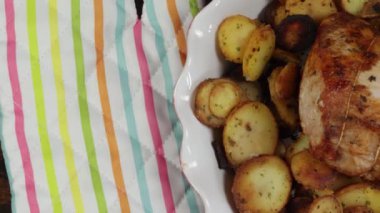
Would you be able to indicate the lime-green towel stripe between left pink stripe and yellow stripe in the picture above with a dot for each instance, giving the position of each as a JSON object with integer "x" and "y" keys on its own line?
{"x": 40, "y": 107}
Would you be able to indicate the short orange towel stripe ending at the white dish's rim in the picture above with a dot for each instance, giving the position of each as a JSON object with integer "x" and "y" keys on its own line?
{"x": 180, "y": 35}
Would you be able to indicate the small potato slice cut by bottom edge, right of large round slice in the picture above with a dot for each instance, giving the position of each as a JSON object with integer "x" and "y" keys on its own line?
{"x": 326, "y": 204}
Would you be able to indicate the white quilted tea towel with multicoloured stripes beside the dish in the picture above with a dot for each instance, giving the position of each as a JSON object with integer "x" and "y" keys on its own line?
{"x": 87, "y": 117}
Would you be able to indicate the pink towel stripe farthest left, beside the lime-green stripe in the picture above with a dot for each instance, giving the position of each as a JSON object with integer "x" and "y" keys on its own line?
{"x": 17, "y": 104}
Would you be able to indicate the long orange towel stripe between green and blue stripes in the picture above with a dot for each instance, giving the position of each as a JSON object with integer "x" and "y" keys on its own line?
{"x": 107, "y": 116}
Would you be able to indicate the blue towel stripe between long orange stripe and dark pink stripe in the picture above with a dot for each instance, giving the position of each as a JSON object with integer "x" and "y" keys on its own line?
{"x": 128, "y": 108}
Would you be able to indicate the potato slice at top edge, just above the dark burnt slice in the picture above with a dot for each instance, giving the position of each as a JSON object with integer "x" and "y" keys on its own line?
{"x": 317, "y": 9}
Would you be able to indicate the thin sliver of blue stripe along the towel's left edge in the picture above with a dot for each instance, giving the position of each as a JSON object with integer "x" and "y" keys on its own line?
{"x": 6, "y": 161}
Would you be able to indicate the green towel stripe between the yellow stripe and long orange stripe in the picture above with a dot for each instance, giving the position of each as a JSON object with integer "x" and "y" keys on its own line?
{"x": 83, "y": 107}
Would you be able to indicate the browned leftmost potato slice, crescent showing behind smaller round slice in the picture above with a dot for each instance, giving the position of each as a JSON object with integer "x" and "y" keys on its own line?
{"x": 202, "y": 104}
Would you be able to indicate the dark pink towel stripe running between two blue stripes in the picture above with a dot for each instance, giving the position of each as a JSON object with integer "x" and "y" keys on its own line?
{"x": 152, "y": 119}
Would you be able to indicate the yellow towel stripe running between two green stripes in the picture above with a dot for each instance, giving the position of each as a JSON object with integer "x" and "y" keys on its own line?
{"x": 62, "y": 115}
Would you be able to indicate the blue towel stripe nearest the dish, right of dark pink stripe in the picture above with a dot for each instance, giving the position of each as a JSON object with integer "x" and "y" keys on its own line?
{"x": 169, "y": 86}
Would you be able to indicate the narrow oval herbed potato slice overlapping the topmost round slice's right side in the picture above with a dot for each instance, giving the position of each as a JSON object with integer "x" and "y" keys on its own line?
{"x": 258, "y": 51}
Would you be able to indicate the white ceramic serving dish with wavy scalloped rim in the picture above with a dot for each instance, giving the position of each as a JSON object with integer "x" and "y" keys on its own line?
{"x": 204, "y": 61}
